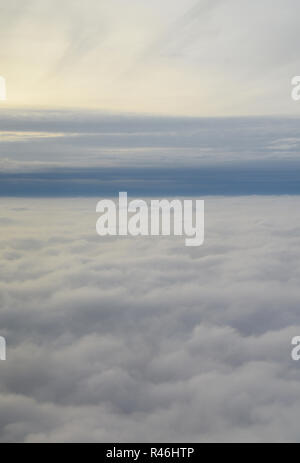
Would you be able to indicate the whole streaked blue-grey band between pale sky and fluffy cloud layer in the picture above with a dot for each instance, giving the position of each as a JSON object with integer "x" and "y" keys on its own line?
{"x": 65, "y": 153}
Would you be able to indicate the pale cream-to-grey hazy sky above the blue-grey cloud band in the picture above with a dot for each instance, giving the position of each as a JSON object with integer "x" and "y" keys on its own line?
{"x": 192, "y": 58}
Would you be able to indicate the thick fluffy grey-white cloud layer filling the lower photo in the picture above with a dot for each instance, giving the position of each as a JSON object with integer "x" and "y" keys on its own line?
{"x": 125, "y": 340}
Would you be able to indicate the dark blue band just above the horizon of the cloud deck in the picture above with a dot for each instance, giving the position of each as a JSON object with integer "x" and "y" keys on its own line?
{"x": 241, "y": 179}
